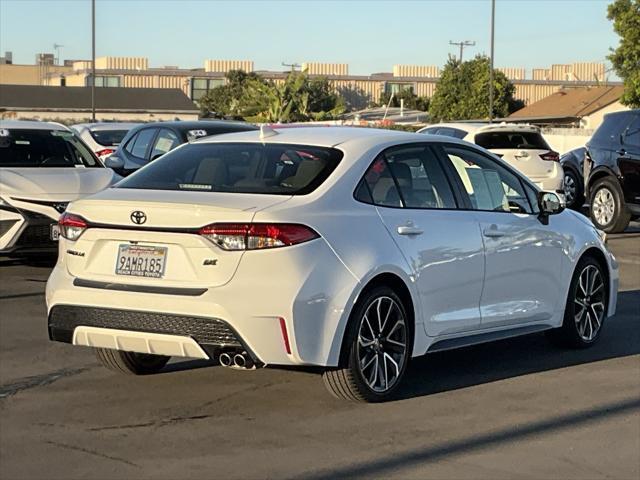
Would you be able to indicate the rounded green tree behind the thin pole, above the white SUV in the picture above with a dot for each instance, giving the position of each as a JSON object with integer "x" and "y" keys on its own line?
{"x": 462, "y": 93}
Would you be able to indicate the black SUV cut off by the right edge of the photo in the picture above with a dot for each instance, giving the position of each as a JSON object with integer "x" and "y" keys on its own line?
{"x": 612, "y": 171}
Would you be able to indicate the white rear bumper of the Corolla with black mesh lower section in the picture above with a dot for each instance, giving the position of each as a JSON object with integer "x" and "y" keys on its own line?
{"x": 308, "y": 287}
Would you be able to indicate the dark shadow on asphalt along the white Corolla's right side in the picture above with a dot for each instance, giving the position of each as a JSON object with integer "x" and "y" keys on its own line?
{"x": 490, "y": 362}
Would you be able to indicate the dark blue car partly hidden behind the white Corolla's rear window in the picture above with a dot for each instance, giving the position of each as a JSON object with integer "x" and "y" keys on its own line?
{"x": 149, "y": 141}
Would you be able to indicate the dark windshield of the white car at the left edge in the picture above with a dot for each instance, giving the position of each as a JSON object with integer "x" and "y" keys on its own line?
{"x": 43, "y": 148}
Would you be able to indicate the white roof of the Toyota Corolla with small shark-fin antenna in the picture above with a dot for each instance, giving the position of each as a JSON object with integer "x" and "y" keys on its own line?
{"x": 319, "y": 136}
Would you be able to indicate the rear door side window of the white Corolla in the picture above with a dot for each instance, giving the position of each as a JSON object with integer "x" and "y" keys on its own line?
{"x": 409, "y": 176}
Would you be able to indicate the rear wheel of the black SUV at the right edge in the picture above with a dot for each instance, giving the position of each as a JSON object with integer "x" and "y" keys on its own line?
{"x": 607, "y": 208}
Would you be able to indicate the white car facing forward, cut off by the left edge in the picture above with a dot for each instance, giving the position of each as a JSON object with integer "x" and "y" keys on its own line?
{"x": 43, "y": 166}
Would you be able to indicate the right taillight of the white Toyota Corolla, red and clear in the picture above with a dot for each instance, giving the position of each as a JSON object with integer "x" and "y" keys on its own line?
{"x": 256, "y": 236}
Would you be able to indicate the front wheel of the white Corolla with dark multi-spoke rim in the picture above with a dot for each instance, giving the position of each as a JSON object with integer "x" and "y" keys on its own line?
{"x": 586, "y": 308}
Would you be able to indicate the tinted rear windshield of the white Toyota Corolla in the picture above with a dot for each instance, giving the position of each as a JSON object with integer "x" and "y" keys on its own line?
{"x": 279, "y": 169}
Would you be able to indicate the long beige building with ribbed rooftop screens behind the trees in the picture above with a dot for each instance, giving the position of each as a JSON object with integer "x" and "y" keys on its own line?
{"x": 134, "y": 72}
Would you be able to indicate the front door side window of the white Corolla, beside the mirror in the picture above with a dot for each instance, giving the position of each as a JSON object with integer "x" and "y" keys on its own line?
{"x": 490, "y": 186}
